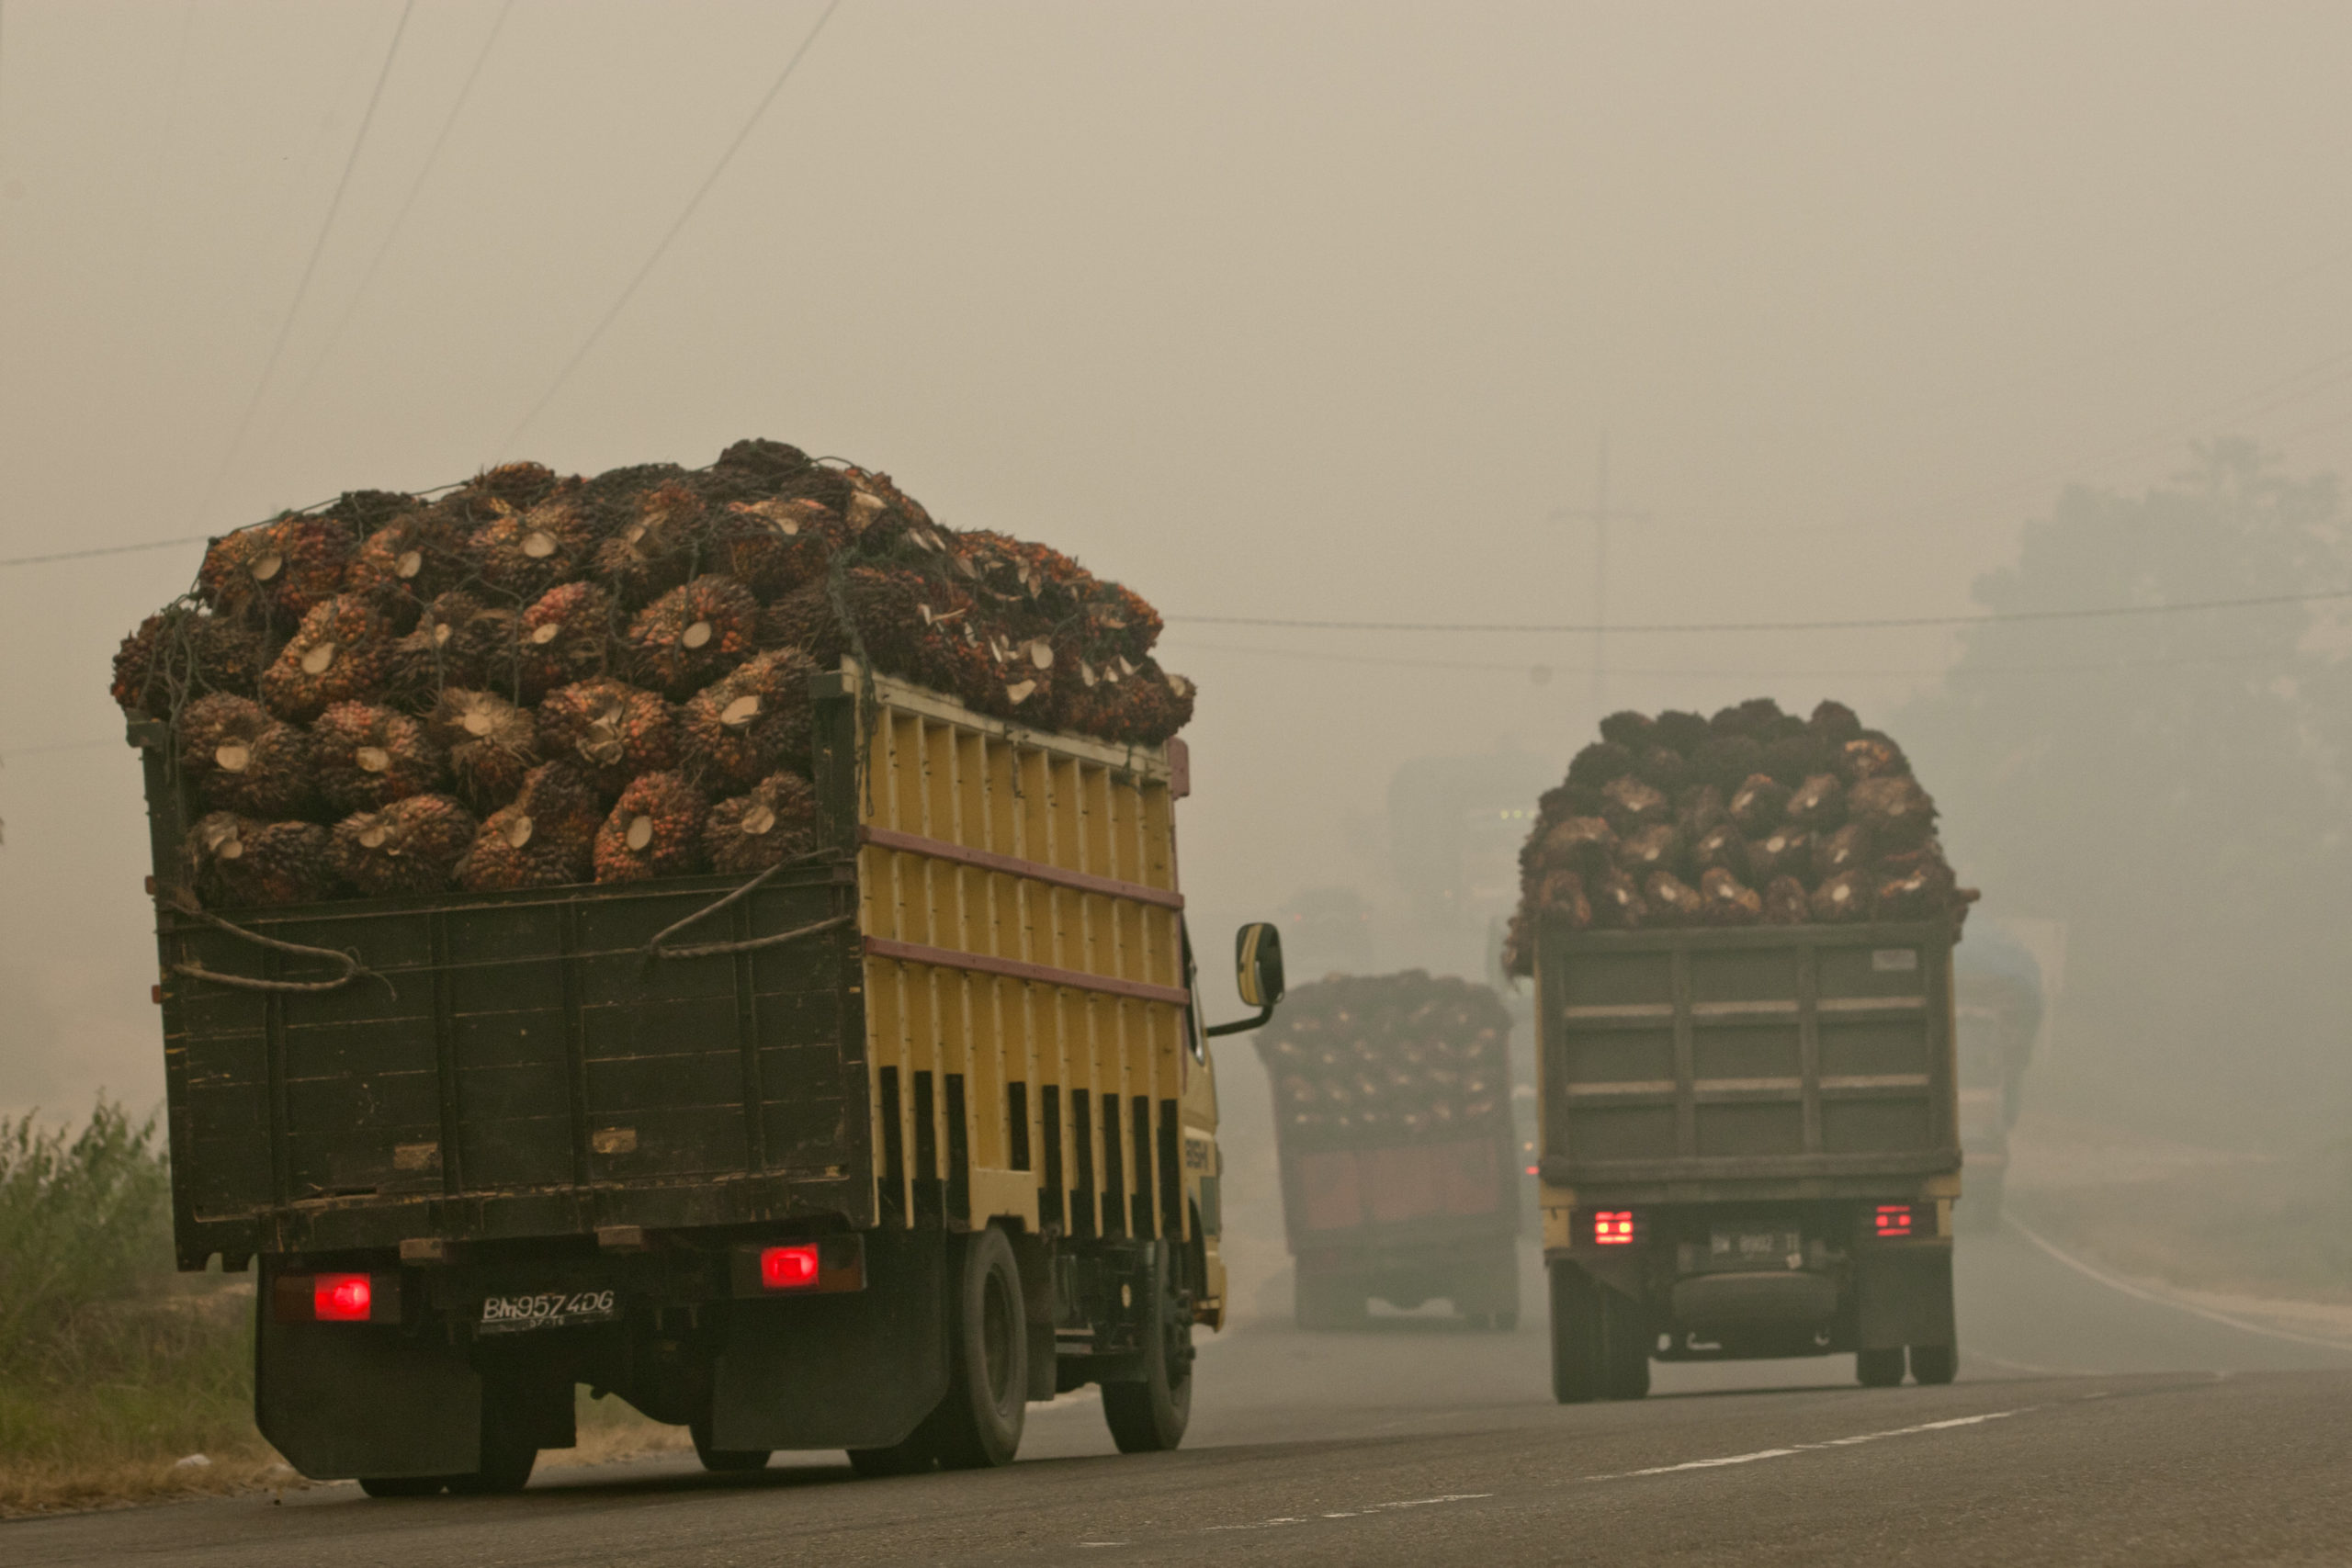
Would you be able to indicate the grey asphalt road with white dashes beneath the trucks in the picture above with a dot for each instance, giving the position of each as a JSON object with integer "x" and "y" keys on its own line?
{"x": 2087, "y": 1428}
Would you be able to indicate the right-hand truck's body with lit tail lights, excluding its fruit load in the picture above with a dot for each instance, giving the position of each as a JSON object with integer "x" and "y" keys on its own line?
{"x": 1751, "y": 1148}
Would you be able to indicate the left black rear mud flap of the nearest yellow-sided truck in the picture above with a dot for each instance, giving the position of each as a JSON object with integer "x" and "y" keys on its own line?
{"x": 354, "y": 1400}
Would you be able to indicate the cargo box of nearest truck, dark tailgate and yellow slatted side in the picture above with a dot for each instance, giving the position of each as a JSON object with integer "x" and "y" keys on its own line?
{"x": 970, "y": 1003}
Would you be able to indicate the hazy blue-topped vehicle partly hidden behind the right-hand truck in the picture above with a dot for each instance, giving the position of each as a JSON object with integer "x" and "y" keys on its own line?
{"x": 2000, "y": 1012}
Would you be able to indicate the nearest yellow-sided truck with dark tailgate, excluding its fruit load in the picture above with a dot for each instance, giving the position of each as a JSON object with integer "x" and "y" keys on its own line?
{"x": 864, "y": 1153}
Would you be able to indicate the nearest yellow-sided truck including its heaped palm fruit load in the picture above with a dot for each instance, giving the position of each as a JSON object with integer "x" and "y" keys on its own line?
{"x": 702, "y": 934}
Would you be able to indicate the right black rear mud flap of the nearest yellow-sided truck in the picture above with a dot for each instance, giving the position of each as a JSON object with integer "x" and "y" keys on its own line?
{"x": 841, "y": 1372}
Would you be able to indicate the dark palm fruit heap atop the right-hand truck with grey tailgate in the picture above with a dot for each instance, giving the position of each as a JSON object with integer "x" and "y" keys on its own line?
{"x": 1753, "y": 817}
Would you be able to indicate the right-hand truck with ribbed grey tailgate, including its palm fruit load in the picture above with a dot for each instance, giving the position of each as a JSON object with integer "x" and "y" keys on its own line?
{"x": 1742, "y": 937}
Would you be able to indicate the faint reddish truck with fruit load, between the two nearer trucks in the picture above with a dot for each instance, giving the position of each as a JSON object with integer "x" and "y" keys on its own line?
{"x": 1394, "y": 1130}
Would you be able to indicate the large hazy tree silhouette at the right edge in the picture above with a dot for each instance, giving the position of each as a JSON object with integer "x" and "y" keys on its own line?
{"x": 2172, "y": 786}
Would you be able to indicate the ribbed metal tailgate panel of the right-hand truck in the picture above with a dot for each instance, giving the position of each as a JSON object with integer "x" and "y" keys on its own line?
{"x": 1746, "y": 1064}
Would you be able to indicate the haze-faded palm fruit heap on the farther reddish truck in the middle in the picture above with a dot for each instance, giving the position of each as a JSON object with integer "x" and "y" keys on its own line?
{"x": 1370, "y": 1059}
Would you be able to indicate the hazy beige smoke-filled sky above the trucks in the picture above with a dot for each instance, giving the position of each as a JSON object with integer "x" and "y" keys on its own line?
{"x": 1264, "y": 309}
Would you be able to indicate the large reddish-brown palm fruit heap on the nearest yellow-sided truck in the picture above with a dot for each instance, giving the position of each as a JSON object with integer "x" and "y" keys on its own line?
{"x": 540, "y": 681}
